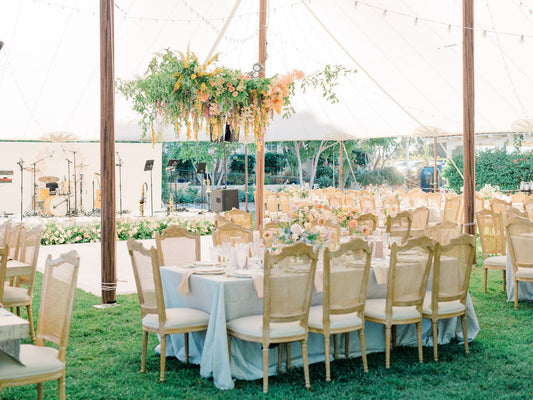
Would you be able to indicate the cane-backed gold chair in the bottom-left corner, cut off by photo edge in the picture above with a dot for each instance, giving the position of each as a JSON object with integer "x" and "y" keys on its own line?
{"x": 41, "y": 363}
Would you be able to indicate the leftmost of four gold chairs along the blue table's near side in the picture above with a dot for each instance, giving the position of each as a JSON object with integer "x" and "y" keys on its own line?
{"x": 288, "y": 286}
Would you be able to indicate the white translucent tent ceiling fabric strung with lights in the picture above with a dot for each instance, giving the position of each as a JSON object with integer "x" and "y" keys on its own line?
{"x": 49, "y": 66}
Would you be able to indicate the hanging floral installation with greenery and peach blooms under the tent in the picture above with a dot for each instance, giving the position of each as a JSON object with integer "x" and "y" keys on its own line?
{"x": 179, "y": 90}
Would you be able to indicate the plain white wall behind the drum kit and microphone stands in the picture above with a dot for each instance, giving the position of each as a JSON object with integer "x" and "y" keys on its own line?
{"x": 133, "y": 156}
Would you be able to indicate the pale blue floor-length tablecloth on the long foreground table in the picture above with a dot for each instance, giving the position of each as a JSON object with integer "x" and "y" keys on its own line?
{"x": 227, "y": 298}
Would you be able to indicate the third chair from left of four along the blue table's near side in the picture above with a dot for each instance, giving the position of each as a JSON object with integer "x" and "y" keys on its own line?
{"x": 406, "y": 287}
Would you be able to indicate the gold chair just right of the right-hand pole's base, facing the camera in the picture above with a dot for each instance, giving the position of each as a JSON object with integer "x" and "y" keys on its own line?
{"x": 492, "y": 238}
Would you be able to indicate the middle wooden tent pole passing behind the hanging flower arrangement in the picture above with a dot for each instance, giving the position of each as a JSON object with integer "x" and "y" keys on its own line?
{"x": 260, "y": 155}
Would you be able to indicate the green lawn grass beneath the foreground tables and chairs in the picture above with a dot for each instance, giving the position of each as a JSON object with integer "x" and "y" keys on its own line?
{"x": 104, "y": 357}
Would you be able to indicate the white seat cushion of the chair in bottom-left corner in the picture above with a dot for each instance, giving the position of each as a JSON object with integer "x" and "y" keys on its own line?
{"x": 38, "y": 360}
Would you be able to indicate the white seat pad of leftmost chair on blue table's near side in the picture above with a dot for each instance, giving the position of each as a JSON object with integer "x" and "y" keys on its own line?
{"x": 252, "y": 326}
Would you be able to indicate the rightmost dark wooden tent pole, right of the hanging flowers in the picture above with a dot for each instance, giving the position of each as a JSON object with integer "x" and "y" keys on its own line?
{"x": 468, "y": 115}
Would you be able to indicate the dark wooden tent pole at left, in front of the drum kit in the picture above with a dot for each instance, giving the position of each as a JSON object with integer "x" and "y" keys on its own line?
{"x": 107, "y": 152}
